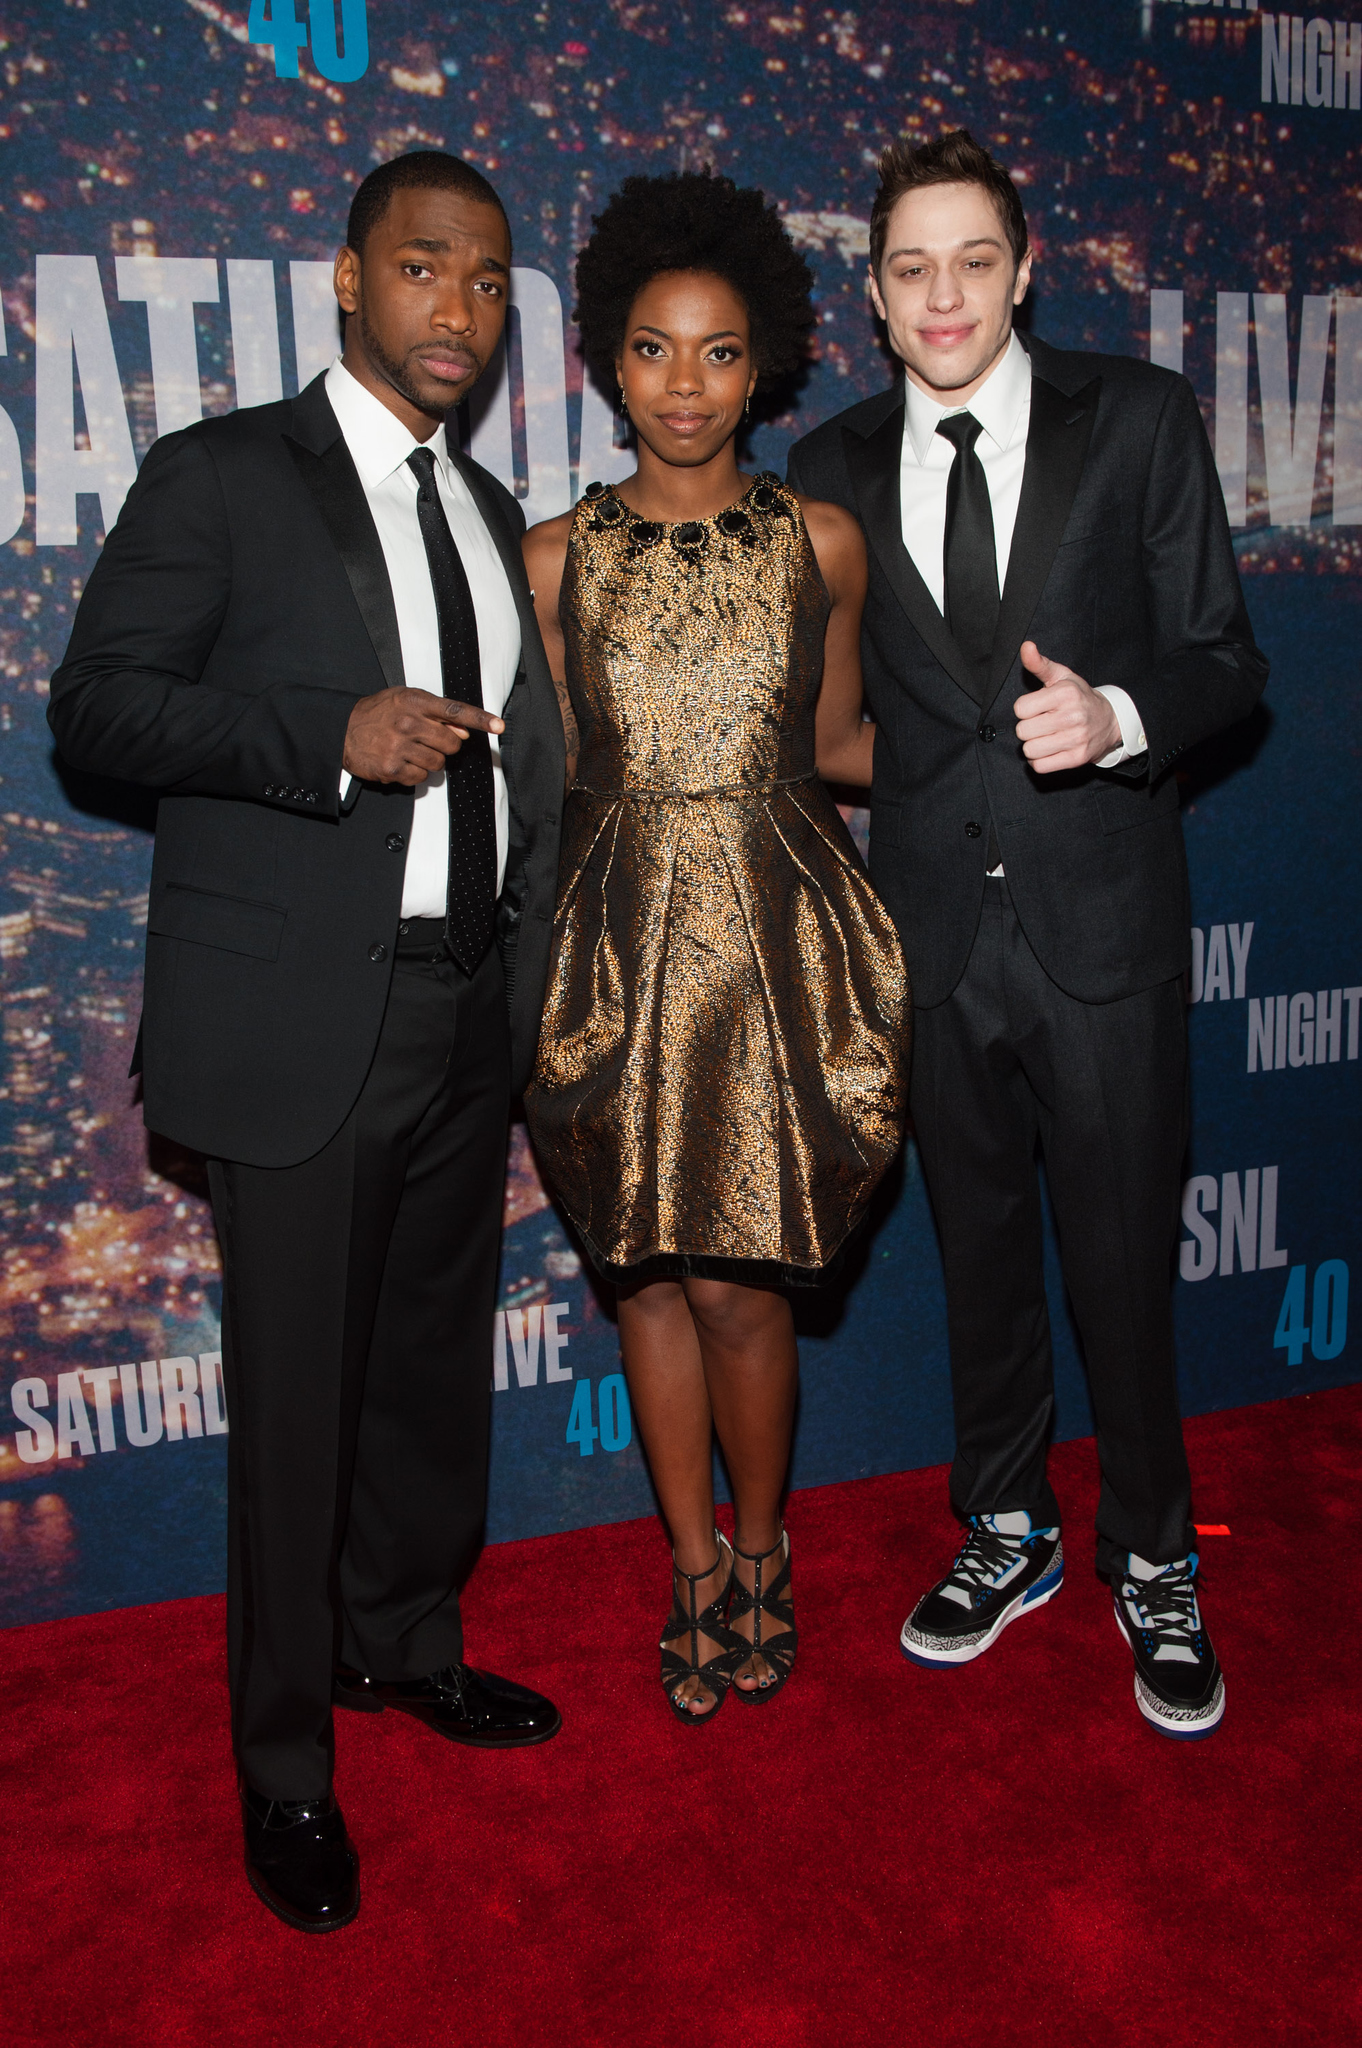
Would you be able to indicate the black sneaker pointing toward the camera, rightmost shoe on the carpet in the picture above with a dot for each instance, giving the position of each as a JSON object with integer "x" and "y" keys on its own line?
{"x": 1179, "y": 1684}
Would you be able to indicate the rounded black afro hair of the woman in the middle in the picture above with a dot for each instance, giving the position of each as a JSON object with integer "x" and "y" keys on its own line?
{"x": 693, "y": 220}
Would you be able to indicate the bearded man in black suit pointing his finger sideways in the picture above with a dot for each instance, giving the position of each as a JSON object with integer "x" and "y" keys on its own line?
{"x": 312, "y": 634}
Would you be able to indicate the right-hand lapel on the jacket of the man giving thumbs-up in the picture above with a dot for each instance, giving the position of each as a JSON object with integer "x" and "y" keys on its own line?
{"x": 1056, "y": 452}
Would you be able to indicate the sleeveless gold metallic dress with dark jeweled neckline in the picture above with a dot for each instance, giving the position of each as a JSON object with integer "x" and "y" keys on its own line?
{"x": 724, "y": 1054}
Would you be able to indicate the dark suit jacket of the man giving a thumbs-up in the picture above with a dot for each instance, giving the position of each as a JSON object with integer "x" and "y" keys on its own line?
{"x": 1123, "y": 568}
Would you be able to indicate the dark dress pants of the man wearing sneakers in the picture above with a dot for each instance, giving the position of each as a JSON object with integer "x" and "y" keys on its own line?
{"x": 1005, "y": 1068}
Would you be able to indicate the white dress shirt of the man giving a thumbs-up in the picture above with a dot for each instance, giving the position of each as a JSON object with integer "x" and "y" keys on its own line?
{"x": 1003, "y": 409}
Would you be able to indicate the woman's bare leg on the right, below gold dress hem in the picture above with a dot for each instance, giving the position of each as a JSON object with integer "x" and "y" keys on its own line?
{"x": 753, "y": 1375}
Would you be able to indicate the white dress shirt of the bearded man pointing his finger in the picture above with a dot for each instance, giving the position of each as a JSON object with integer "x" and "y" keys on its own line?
{"x": 380, "y": 447}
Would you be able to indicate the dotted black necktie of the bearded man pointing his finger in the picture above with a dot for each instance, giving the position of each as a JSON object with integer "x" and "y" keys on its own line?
{"x": 468, "y": 773}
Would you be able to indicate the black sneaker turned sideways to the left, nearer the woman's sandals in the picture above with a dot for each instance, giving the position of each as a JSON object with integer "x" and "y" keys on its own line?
{"x": 1005, "y": 1568}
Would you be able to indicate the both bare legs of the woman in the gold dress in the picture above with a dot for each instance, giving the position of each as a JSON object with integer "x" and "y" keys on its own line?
{"x": 708, "y": 1355}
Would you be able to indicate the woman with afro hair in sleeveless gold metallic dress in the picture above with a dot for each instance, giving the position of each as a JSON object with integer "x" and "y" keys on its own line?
{"x": 722, "y": 1066}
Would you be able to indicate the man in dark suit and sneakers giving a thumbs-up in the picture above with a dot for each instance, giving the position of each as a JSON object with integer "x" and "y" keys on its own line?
{"x": 1054, "y": 617}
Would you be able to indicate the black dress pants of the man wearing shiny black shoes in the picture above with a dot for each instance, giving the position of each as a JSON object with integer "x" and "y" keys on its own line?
{"x": 357, "y": 1359}
